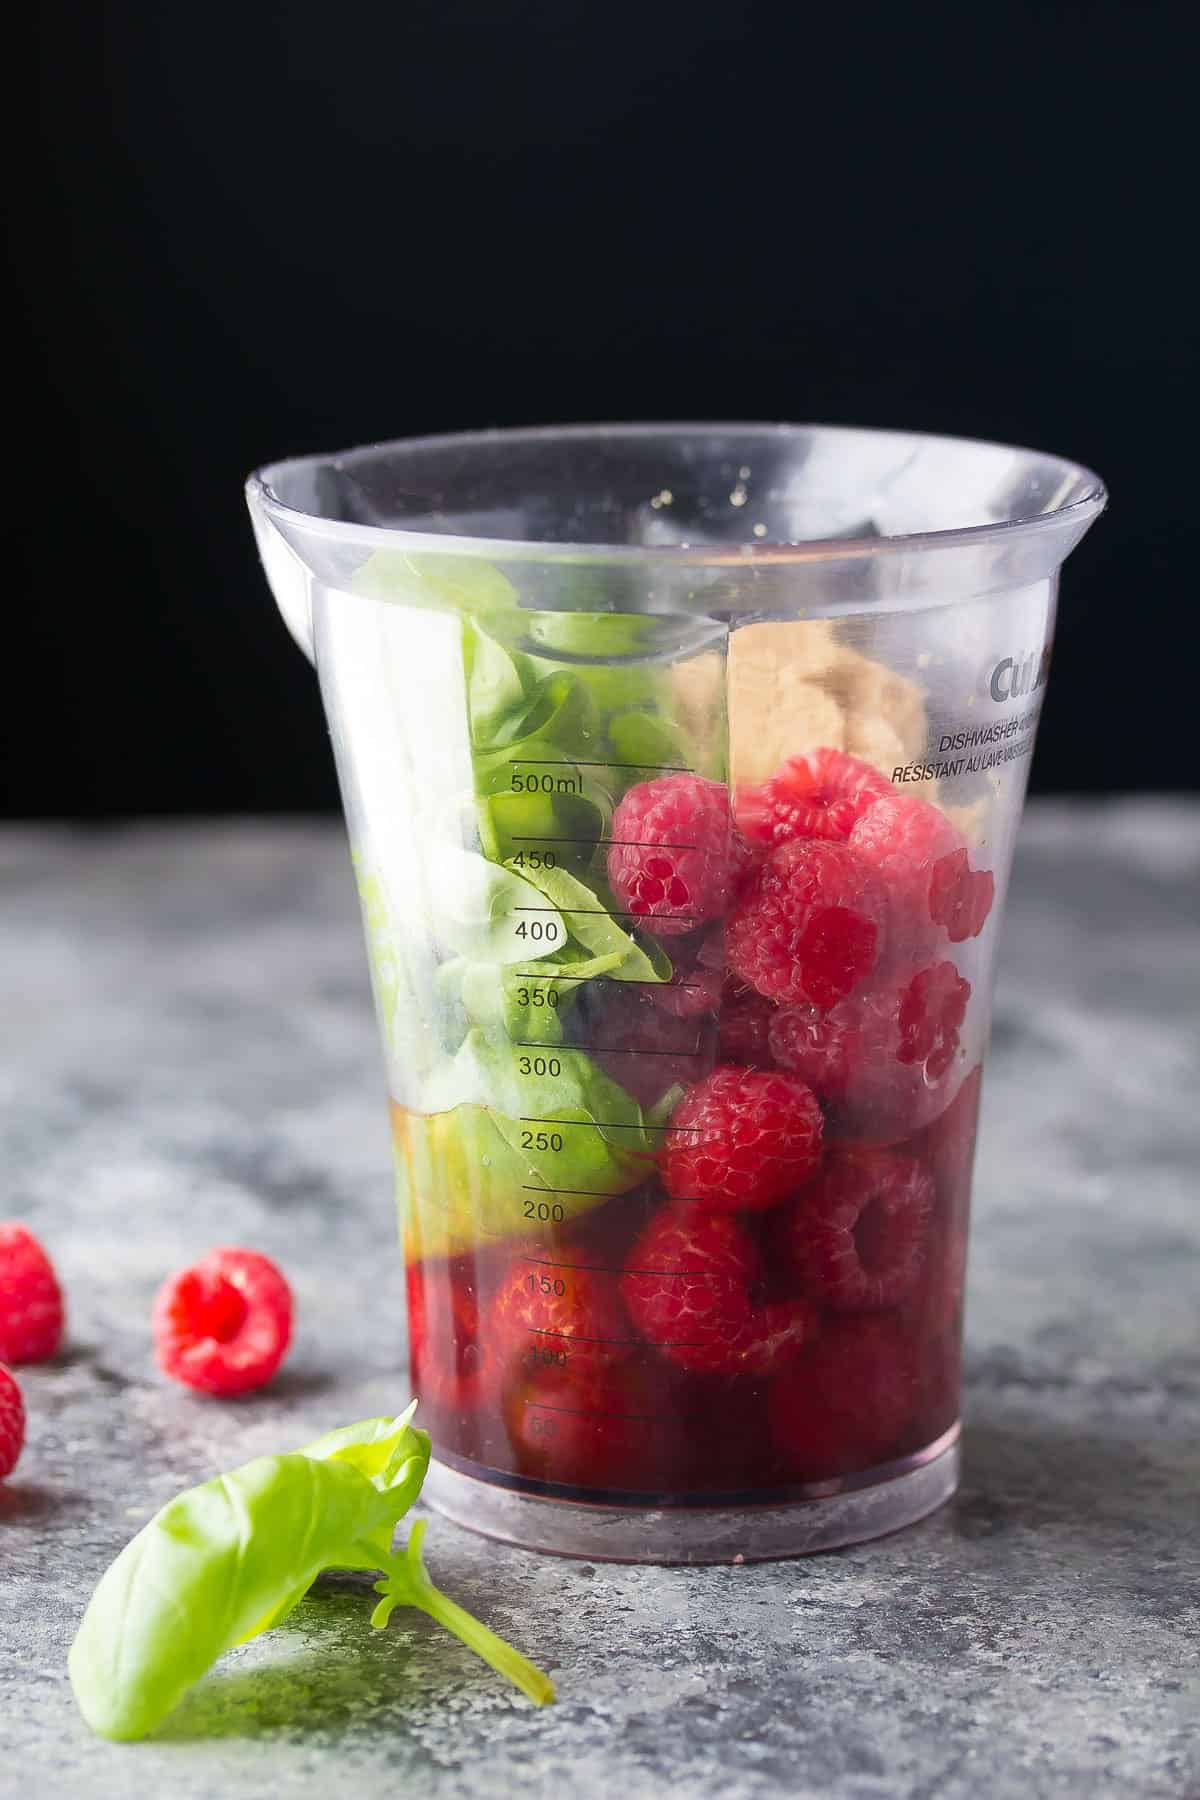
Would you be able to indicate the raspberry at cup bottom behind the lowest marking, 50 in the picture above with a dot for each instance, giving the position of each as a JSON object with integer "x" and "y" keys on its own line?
{"x": 604, "y": 1428}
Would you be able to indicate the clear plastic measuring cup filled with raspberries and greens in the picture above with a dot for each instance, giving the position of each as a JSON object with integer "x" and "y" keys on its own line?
{"x": 683, "y": 769}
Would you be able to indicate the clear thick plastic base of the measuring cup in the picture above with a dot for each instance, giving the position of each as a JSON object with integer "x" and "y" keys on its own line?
{"x": 749, "y": 1531}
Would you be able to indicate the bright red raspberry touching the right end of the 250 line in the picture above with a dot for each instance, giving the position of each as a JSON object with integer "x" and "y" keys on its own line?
{"x": 742, "y": 1138}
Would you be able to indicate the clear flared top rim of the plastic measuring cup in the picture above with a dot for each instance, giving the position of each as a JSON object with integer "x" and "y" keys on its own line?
{"x": 1075, "y": 516}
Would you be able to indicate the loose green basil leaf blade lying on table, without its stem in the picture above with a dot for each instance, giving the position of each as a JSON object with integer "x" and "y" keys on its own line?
{"x": 233, "y": 1558}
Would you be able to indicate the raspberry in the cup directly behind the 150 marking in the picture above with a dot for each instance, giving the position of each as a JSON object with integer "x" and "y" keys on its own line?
{"x": 555, "y": 1311}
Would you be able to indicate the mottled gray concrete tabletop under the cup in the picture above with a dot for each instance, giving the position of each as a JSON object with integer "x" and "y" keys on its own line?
{"x": 190, "y": 1057}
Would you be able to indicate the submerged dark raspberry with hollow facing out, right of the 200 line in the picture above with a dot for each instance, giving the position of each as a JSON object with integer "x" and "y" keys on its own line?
{"x": 859, "y": 1234}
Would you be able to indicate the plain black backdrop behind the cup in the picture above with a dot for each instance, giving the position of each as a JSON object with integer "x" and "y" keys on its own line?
{"x": 249, "y": 231}
